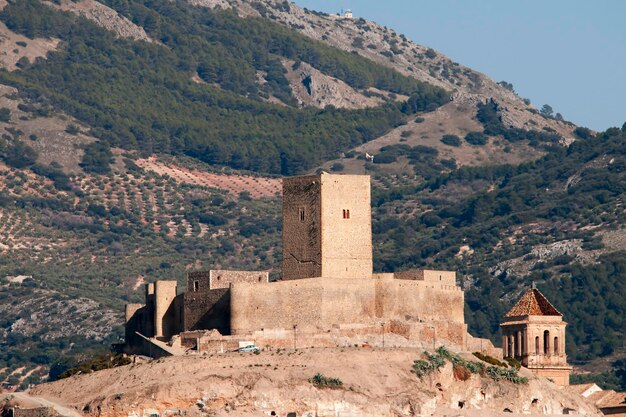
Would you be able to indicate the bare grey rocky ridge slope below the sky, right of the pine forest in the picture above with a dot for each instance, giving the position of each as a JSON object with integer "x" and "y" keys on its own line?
{"x": 385, "y": 46}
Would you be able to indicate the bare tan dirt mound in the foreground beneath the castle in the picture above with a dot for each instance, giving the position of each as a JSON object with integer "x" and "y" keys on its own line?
{"x": 375, "y": 383}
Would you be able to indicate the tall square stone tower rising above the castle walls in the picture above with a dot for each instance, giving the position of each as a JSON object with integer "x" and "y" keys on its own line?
{"x": 327, "y": 226}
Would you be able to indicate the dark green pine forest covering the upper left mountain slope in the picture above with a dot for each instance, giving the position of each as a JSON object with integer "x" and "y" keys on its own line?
{"x": 140, "y": 95}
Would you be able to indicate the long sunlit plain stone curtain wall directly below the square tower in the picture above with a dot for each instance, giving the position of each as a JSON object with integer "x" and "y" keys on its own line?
{"x": 322, "y": 303}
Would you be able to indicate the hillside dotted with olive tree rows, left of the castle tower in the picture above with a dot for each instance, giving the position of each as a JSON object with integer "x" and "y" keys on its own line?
{"x": 69, "y": 259}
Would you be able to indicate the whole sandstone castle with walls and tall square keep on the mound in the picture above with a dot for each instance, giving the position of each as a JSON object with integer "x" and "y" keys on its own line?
{"x": 328, "y": 294}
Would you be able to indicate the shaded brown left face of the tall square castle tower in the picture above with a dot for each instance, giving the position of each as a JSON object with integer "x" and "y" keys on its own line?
{"x": 302, "y": 227}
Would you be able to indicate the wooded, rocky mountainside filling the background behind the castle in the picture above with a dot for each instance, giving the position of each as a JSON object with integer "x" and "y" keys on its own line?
{"x": 142, "y": 139}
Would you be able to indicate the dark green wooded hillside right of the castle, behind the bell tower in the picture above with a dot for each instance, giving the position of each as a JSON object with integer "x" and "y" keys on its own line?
{"x": 571, "y": 194}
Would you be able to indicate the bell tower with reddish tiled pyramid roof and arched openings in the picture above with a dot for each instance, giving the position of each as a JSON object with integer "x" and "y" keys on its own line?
{"x": 533, "y": 332}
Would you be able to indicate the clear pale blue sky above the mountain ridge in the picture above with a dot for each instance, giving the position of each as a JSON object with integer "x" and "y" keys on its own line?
{"x": 570, "y": 54}
